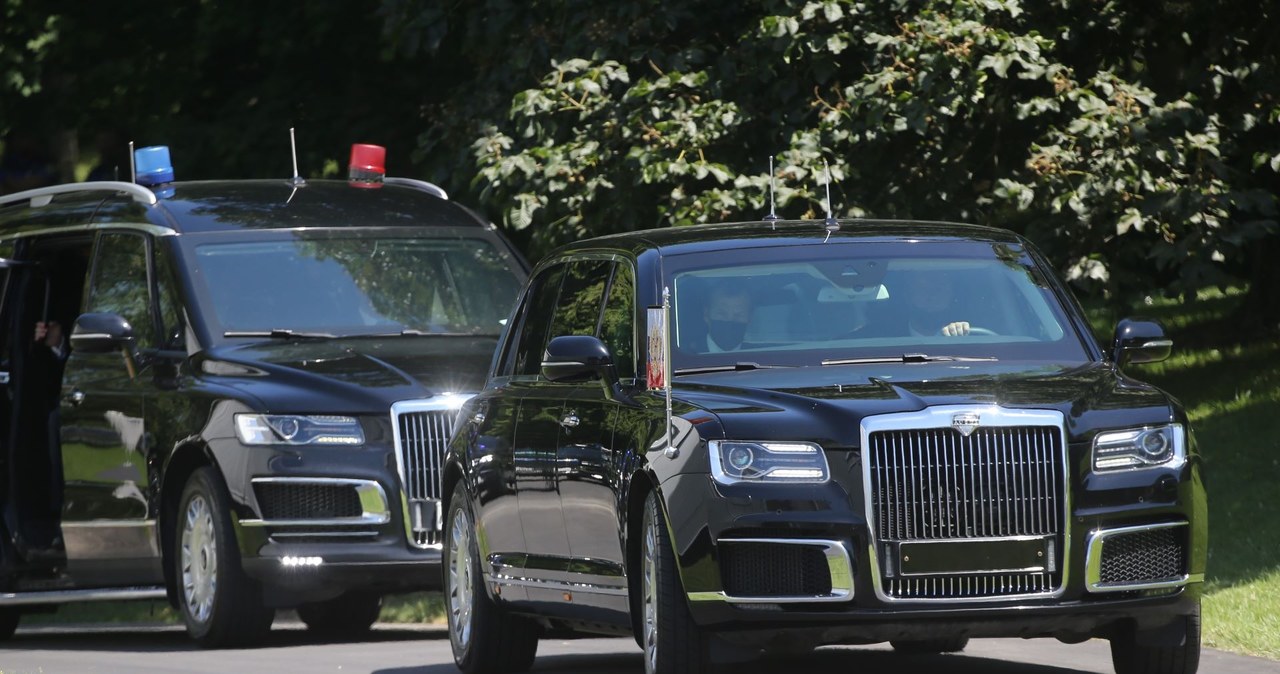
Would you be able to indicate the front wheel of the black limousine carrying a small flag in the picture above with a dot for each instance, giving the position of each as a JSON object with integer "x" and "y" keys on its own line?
{"x": 673, "y": 643}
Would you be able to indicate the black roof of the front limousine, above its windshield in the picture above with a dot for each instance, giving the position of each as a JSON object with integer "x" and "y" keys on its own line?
{"x": 762, "y": 235}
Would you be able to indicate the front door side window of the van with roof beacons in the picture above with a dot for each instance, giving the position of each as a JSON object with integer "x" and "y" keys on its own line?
{"x": 121, "y": 283}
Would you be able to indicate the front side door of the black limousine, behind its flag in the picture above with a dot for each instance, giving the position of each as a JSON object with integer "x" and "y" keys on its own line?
{"x": 591, "y": 466}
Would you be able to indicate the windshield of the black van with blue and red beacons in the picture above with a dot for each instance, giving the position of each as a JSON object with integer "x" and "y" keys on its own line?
{"x": 358, "y": 286}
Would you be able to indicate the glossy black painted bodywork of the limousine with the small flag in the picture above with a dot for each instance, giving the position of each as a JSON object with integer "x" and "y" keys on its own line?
{"x": 606, "y": 464}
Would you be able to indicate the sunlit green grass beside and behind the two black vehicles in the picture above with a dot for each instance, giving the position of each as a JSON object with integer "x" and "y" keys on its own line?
{"x": 1232, "y": 389}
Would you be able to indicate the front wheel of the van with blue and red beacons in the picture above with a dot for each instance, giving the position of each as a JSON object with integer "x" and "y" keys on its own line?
{"x": 220, "y": 604}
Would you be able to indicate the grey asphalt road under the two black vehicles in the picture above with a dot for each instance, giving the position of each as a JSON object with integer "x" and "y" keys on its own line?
{"x": 426, "y": 650}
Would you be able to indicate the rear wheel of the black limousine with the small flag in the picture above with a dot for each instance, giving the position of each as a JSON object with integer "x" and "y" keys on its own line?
{"x": 486, "y": 639}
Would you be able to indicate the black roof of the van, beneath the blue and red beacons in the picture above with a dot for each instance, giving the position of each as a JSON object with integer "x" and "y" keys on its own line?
{"x": 239, "y": 205}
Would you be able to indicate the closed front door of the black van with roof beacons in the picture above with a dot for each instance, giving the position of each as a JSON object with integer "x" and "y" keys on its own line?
{"x": 107, "y": 447}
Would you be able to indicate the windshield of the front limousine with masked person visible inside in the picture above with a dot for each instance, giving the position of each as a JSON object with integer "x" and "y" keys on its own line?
{"x": 865, "y": 301}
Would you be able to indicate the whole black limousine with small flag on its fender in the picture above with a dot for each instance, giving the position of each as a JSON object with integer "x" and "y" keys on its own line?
{"x": 739, "y": 438}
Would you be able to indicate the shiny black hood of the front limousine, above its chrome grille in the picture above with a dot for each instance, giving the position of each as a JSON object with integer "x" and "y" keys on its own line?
{"x": 828, "y": 405}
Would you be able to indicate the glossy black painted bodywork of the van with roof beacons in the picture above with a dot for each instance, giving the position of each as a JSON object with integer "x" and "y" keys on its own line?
{"x": 136, "y": 423}
